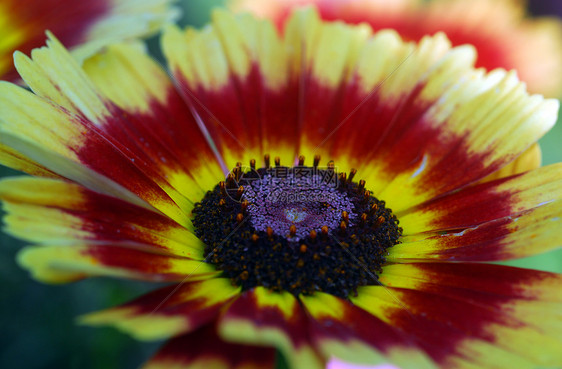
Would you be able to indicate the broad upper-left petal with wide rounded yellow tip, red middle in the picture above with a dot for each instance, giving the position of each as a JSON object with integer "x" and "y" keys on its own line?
{"x": 160, "y": 127}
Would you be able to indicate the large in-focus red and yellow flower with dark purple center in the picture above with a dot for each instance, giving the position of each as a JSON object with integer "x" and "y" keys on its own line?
{"x": 378, "y": 264}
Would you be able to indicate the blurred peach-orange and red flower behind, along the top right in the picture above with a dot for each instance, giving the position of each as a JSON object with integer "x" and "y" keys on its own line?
{"x": 499, "y": 29}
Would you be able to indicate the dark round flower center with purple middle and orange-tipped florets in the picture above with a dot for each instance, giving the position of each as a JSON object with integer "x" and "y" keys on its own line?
{"x": 298, "y": 229}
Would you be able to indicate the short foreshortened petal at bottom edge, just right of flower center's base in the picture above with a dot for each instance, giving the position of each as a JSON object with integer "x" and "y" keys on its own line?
{"x": 342, "y": 330}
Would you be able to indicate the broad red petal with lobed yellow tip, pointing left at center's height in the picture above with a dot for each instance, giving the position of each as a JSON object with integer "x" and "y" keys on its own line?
{"x": 82, "y": 233}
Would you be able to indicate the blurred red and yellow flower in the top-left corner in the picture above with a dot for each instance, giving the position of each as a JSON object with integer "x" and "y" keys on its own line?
{"x": 84, "y": 25}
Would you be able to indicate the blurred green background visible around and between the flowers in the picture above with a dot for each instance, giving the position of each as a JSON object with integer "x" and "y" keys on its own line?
{"x": 37, "y": 321}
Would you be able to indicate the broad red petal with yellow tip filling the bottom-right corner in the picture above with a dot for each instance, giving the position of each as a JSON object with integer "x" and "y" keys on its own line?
{"x": 472, "y": 315}
